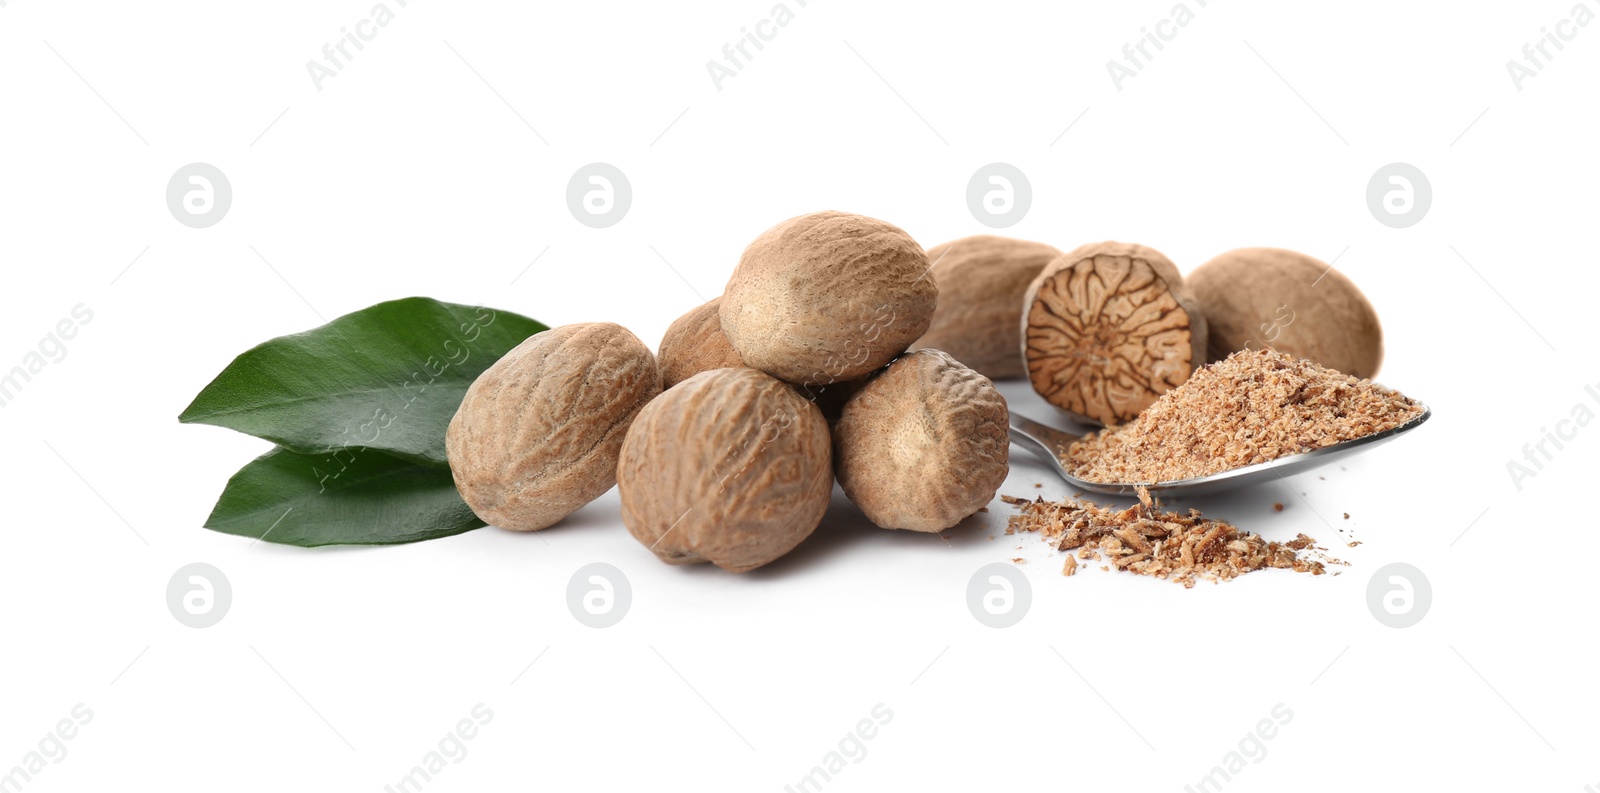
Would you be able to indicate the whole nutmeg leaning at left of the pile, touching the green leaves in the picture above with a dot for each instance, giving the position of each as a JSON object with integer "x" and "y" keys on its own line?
{"x": 540, "y": 432}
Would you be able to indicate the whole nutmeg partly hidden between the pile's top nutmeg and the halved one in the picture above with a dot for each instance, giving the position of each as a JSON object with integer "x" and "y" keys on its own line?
{"x": 982, "y": 285}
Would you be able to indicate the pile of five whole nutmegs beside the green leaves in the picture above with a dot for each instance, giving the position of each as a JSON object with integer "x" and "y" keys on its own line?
{"x": 727, "y": 447}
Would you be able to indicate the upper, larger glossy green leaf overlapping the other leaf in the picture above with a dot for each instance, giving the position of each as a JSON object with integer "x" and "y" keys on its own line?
{"x": 386, "y": 378}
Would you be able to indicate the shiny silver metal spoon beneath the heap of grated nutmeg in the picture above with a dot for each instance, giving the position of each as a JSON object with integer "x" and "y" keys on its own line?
{"x": 1052, "y": 444}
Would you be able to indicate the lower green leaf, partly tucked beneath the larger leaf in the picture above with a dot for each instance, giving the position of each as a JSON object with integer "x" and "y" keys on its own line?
{"x": 346, "y": 498}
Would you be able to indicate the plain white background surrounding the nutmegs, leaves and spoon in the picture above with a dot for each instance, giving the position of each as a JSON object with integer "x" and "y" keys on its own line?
{"x": 422, "y": 170}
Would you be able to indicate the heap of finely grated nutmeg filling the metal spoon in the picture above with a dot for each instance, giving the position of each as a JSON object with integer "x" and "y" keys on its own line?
{"x": 1249, "y": 408}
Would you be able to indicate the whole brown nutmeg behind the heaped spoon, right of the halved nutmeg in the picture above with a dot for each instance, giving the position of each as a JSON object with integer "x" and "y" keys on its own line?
{"x": 1292, "y": 303}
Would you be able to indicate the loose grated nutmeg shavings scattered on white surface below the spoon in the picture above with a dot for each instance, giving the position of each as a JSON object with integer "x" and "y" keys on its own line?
{"x": 1145, "y": 540}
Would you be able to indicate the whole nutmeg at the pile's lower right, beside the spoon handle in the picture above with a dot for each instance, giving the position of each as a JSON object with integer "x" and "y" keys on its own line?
{"x": 922, "y": 445}
